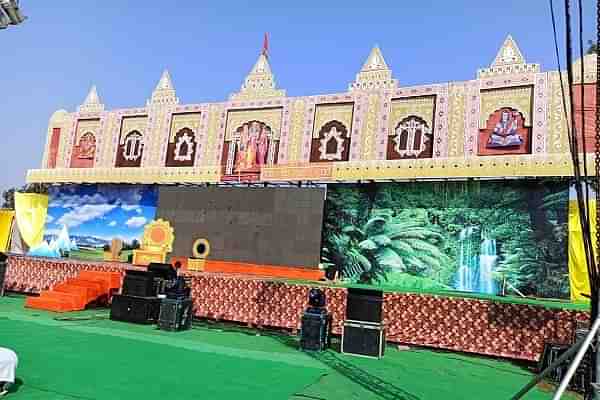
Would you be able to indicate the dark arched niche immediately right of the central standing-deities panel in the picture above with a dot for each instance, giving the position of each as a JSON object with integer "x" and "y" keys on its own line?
{"x": 331, "y": 144}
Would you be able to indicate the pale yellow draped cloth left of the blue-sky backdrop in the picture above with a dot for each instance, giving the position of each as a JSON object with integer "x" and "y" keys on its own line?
{"x": 31, "y": 210}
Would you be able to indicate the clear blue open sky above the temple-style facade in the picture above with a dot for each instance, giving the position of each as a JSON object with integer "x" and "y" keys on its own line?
{"x": 65, "y": 46}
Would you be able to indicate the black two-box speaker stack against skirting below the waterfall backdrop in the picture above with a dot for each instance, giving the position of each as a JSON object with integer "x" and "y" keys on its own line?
{"x": 363, "y": 332}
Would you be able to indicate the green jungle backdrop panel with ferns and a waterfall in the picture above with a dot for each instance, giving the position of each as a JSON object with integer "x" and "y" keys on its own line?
{"x": 478, "y": 236}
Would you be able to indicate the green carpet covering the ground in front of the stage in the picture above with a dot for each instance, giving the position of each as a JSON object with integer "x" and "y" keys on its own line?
{"x": 86, "y": 356}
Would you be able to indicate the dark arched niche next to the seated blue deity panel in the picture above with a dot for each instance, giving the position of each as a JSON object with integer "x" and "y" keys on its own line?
{"x": 412, "y": 137}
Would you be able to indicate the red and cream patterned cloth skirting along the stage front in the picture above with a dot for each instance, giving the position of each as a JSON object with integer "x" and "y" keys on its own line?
{"x": 516, "y": 331}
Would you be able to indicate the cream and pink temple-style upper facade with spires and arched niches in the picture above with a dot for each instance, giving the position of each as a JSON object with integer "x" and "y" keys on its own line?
{"x": 508, "y": 122}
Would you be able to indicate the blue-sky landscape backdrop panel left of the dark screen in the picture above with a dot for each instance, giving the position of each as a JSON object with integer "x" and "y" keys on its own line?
{"x": 93, "y": 215}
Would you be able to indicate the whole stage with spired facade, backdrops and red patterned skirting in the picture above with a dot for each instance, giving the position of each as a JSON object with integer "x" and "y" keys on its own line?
{"x": 413, "y": 190}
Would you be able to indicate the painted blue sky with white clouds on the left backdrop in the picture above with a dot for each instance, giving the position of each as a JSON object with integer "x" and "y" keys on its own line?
{"x": 105, "y": 211}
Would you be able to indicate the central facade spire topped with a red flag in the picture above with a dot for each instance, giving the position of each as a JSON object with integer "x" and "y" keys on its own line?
{"x": 260, "y": 82}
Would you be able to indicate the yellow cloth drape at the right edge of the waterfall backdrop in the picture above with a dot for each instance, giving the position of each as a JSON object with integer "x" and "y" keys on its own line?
{"x": 578, "y": 276}
